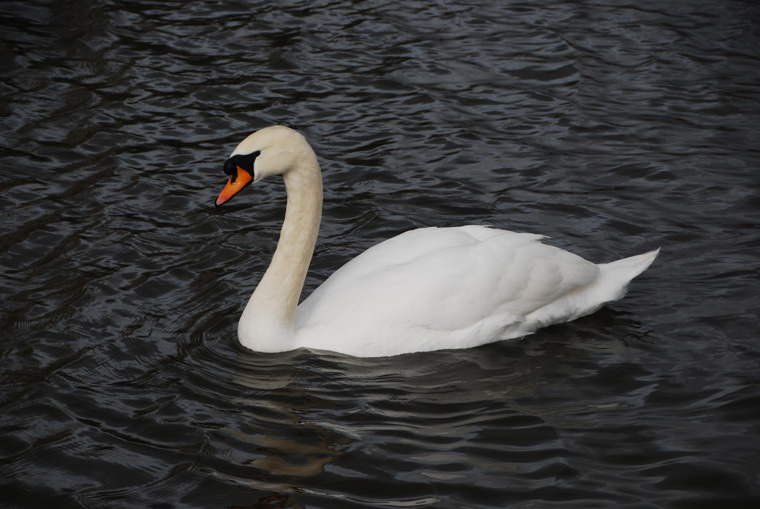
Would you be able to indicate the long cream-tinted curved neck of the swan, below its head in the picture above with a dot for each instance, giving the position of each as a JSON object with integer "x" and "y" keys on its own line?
{"x": 268, "y": 321}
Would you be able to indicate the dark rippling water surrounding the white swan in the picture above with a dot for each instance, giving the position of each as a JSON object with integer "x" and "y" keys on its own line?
{"x": 612, "y": 127}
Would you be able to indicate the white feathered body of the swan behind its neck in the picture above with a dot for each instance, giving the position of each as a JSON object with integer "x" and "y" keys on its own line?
{"x": 437, "y": 288}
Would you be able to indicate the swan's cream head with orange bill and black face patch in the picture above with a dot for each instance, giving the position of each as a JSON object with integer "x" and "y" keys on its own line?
{"x": 270, "y": 151}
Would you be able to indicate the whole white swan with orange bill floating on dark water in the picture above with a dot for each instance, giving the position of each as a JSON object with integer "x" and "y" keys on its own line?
{"x": 426, "y": 289}
